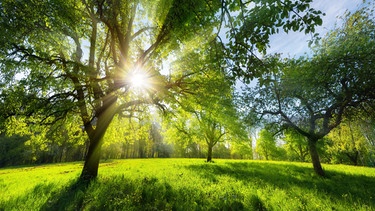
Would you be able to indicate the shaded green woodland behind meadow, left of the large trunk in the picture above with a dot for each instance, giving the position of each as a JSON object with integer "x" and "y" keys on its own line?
{"x": 27, "y": 143}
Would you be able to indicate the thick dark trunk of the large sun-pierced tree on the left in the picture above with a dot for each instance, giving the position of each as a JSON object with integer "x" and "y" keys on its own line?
{"x": 104, "y": 118}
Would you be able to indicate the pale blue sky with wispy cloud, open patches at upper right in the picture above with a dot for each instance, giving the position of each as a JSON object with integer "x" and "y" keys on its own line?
{"x": 295, "y": 44}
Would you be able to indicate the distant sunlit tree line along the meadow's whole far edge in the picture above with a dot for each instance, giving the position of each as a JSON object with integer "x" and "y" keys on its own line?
{"x": 352, "y": 143}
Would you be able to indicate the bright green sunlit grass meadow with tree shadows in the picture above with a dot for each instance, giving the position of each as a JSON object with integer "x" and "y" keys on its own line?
{"x": 188, "y": 184}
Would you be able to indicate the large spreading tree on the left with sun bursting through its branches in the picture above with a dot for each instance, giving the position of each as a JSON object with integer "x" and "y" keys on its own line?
{"x": 60, "y": 76}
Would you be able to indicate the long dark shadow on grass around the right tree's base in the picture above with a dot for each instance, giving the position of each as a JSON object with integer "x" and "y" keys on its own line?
{"x": 338, "y": 186}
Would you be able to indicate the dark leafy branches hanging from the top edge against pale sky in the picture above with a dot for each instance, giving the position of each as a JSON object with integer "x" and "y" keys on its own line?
{"x": 251, "y": 29}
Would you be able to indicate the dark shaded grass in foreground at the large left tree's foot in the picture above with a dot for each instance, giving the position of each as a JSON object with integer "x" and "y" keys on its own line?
{"x": 124, "y": 193}
